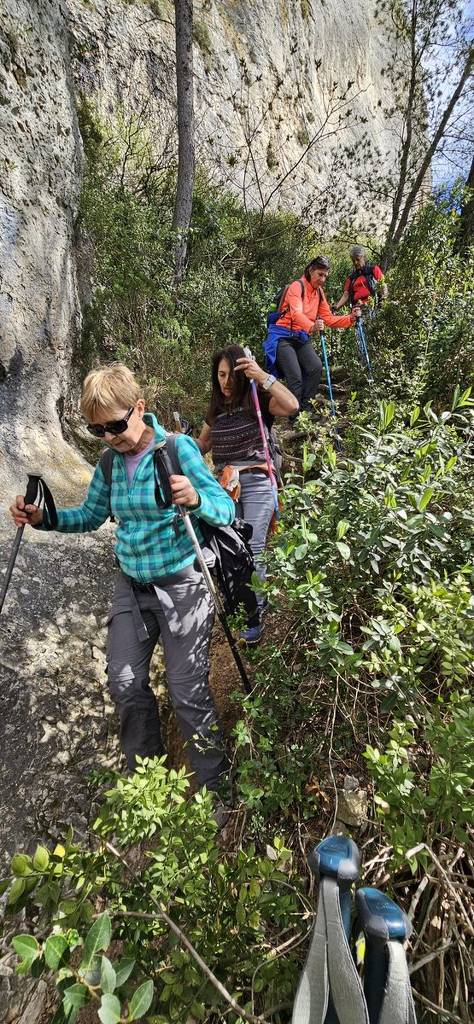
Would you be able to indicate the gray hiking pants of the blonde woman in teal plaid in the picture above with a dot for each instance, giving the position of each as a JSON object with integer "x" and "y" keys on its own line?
{"x": 180, "y": 612}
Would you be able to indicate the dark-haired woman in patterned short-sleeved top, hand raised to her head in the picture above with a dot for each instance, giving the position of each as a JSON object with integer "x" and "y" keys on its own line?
{"x": 233, "y": 436}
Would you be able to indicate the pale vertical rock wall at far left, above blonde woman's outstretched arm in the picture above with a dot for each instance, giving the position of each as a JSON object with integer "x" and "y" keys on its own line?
{"x": 40, "y": 177}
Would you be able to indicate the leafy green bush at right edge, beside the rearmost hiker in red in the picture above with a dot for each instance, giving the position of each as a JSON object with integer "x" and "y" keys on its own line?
{"x": 424, "y": 336}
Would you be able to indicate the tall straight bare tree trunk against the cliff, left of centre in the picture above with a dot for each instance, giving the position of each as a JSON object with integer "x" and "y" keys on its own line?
{"x": 185, "y": 90}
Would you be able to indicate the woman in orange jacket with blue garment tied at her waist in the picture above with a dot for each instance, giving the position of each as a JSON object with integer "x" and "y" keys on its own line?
{"x": 304, "y": 312}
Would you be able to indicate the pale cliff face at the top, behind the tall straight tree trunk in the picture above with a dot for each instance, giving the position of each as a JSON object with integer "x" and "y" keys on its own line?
{"x": 265, "y": 71}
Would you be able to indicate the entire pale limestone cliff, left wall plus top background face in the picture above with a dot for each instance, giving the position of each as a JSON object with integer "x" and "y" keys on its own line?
{"x": 265, "y": 71}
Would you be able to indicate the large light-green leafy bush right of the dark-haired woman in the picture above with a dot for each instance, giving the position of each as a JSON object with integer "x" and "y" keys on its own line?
{"x": 373, "y": 571}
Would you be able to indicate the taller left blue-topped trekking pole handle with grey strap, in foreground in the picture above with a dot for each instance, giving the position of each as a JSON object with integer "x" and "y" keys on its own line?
{"x": 330, "y": 989}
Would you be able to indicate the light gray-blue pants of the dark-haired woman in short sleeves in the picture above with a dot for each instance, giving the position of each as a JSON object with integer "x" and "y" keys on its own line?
{"x": 256, "y": 506}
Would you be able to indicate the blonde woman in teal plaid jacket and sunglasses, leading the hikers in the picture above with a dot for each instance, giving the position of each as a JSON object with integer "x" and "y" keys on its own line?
{"x": 159, "y": 594}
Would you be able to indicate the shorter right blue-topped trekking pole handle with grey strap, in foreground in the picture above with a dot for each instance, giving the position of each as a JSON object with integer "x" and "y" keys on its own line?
{"x": 386, "y": 978}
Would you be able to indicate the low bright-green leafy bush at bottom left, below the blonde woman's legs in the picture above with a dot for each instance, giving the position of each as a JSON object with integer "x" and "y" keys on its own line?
{"x": 153, "y": 863}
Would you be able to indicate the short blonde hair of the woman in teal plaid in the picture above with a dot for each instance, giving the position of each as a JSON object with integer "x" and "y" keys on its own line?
{"x": 109, "y": 389}
